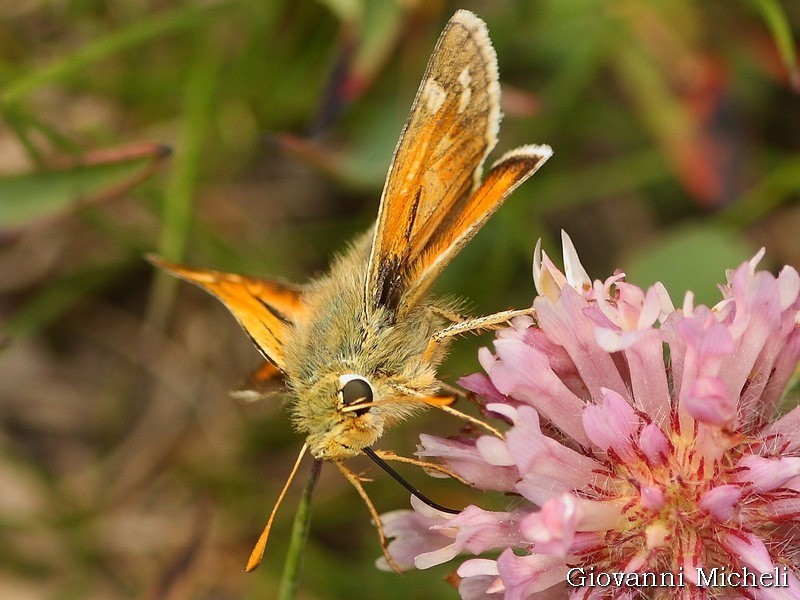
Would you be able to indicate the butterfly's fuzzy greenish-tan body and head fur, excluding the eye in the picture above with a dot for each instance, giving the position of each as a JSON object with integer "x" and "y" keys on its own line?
{"x": 340, "y": 337}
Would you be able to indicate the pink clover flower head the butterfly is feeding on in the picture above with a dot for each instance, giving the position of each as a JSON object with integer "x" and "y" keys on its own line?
{"x": 643, "y": 438}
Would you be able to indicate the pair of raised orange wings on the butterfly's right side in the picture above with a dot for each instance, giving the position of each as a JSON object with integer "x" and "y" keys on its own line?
{"x": 432, "y": 203}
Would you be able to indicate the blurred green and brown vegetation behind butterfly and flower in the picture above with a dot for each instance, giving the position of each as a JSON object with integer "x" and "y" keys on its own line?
{"x": 126, "y": 471}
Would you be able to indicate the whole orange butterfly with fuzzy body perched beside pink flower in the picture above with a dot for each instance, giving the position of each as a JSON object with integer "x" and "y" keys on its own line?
{"x": 358, "y": 348}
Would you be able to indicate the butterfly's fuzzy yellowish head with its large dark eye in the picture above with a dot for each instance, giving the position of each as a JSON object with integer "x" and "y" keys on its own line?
{"x": 340, "y": 417}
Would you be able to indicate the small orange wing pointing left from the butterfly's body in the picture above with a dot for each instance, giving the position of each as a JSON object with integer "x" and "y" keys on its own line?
{"x": 264, "y": 308}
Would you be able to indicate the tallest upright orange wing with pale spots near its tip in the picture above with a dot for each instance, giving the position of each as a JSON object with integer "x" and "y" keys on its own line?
{"x": 438, "y": 161}
